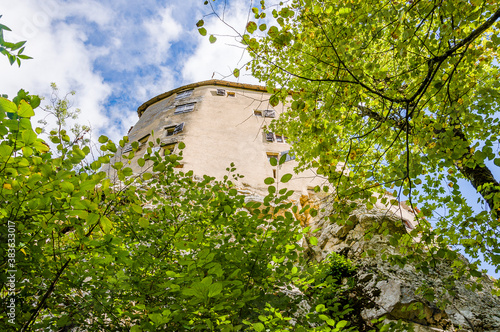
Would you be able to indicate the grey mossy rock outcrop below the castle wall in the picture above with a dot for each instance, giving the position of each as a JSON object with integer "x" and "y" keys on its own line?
{"x": 390, "y": 291}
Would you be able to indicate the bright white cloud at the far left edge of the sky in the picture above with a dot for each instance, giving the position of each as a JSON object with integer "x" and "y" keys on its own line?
{"x": 59, "y": 55}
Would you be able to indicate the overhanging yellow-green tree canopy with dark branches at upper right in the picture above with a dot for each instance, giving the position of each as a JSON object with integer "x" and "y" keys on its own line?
{"x": 393, "y": 96}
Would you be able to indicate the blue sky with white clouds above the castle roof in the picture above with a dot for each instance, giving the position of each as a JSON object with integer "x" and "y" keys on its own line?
{"x": 117, "y": 54}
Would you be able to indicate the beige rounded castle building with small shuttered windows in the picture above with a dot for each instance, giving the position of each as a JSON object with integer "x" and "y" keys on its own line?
{"x": 220, "y": 123}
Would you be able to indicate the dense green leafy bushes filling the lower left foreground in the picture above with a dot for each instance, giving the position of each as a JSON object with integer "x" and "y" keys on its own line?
{"x": 159, "y": 250}
